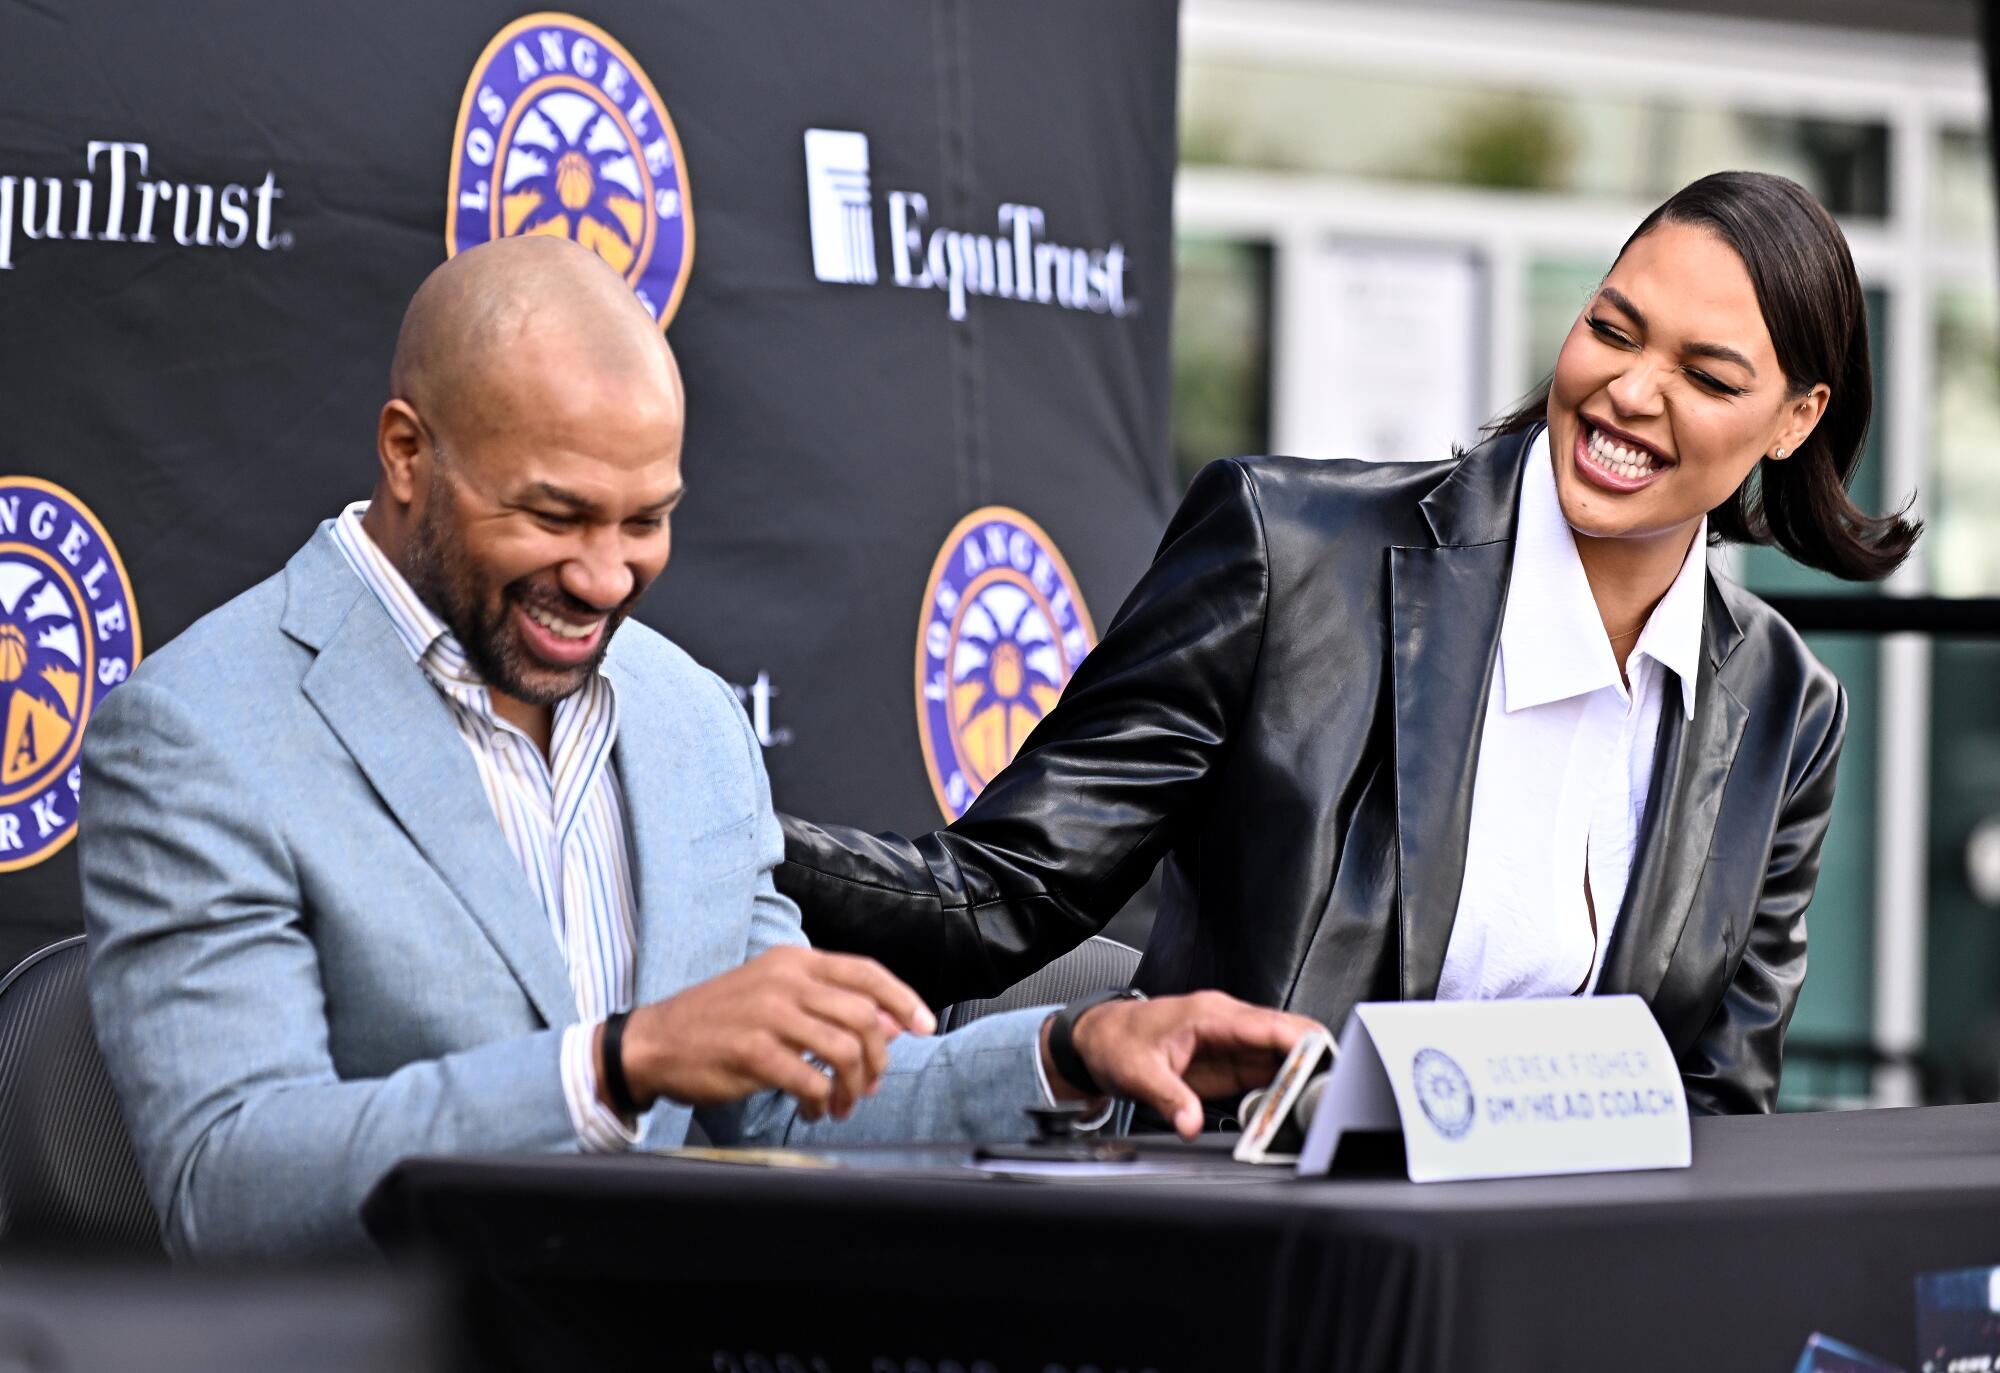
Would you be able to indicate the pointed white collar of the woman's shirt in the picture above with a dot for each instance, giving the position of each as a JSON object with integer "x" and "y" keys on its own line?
{"x": 1553, "y": 643}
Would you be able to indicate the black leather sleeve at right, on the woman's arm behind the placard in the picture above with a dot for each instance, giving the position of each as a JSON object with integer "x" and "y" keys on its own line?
{"x": 1735, "y": 1066}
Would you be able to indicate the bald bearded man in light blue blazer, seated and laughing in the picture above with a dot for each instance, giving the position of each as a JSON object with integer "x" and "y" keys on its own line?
{"x": 421, "y": 848}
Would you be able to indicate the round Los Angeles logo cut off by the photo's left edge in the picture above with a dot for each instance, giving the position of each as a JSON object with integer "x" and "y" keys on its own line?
{"x": 69, "y": 633}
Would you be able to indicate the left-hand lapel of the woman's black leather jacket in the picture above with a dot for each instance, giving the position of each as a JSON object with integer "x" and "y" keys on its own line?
{"x": 1445, "y": 619}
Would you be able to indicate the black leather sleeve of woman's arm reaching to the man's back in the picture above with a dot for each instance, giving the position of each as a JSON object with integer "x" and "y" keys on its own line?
{"x": 1095, "y": 798}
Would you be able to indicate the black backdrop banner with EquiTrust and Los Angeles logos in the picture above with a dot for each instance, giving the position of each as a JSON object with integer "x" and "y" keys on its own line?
{"x": 915, "y": 259}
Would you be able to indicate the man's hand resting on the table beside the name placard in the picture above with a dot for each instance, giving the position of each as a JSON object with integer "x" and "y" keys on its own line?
{"x": 1177, "y": 1052}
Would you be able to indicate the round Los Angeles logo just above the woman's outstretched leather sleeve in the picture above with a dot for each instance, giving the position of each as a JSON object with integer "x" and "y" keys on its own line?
{"x": 1005, "y": 627}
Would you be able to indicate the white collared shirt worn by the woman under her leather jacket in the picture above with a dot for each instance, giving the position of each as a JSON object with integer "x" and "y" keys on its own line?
{"x": 1565, "y": 764}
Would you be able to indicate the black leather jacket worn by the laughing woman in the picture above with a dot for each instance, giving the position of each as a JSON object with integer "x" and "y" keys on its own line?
{"x": 1289, "y": 712}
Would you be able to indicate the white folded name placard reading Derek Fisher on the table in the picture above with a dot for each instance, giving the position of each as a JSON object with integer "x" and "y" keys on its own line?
{"x": 1507, "y": 1088}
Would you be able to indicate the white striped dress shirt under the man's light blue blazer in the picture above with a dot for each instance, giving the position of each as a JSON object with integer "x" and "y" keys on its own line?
{"x": 563, "y": 820}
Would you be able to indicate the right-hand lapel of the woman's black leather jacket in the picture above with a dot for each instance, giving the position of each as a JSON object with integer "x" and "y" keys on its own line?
{"x": 1691, "y": 768}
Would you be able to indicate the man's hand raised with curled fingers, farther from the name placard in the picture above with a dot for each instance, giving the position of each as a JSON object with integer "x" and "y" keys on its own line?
{"x": 755, "y": 1026}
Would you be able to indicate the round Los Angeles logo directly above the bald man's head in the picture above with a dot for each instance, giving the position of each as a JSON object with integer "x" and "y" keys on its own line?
{"x": 561, "y": 133}
